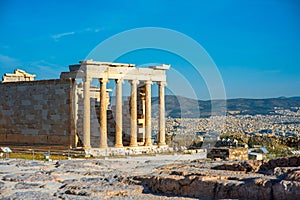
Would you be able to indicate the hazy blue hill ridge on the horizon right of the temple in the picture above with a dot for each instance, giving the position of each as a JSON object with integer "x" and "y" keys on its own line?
{"x": 177, "y": 106}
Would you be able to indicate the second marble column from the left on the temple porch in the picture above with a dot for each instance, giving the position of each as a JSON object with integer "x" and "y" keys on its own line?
{"x": 103, "y": 113}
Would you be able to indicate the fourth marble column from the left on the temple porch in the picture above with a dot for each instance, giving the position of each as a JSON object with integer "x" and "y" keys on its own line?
{"x": 133, "y": 113}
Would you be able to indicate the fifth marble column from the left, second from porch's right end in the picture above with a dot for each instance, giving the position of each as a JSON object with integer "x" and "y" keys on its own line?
{"x": 148, "y": 129}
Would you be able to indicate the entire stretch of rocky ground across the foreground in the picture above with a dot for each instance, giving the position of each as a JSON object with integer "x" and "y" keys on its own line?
{"x": 153, "y": 177}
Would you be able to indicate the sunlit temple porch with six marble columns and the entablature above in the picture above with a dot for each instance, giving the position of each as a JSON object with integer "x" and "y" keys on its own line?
{"x": 140, "y": 80}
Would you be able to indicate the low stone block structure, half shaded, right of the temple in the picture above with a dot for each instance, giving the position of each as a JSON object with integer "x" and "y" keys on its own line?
{"x": 225, "y": 153}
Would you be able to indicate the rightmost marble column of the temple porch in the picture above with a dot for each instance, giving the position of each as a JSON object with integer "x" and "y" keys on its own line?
{"x": 162, "y": 128}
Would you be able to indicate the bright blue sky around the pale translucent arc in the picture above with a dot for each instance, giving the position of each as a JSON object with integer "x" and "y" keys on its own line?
{"x": 255, "y": 44}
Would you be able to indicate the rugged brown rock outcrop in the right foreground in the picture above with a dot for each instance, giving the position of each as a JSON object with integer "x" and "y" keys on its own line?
{"x": 231, "y": 180}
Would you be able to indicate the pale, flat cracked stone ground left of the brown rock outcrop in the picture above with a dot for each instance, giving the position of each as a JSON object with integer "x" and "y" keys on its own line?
{"x": 81, "y": 178}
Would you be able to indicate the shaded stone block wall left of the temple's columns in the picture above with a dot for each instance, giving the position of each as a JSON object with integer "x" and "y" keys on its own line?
{"x": 37, "y": 113}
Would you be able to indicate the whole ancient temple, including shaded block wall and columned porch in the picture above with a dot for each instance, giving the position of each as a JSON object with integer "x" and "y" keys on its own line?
{"x": 73, "y": 111}
